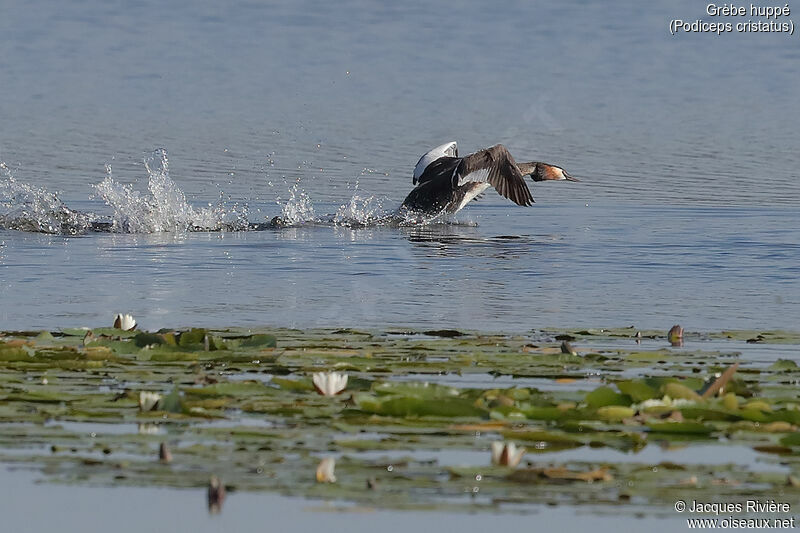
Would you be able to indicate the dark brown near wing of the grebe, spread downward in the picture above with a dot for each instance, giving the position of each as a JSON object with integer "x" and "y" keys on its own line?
{"x": 497, "y": 167}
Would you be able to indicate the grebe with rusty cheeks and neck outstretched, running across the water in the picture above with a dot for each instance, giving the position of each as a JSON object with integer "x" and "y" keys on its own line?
{"x": 445, "y": 182}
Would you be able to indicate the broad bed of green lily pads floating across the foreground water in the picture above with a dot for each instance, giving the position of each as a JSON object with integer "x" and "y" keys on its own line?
{"x": 236, "y": 405}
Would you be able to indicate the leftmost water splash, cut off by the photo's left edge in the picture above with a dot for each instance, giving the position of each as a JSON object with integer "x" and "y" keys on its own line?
{"x": 24, "y": 207}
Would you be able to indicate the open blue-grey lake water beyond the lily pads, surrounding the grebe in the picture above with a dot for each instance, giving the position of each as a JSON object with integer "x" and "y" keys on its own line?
{"x": 687, "y": 147}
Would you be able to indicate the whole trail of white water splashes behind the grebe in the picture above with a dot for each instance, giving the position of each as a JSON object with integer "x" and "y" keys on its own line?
{"x": 163, "y": 207}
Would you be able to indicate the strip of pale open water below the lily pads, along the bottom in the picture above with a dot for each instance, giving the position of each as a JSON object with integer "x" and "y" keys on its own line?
{"x": 182, "y": 510}
